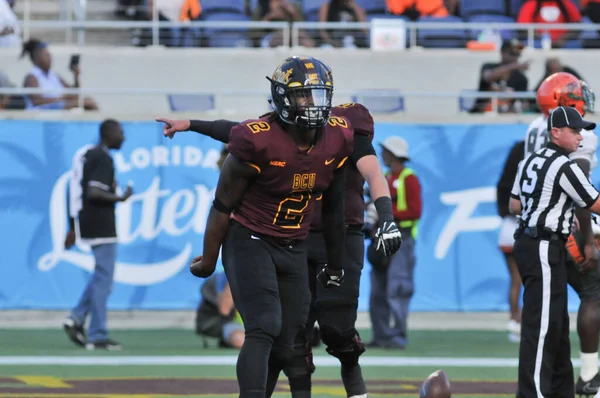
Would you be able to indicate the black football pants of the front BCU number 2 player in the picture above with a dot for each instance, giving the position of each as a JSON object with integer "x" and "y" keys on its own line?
{"x": 269, "y": 285}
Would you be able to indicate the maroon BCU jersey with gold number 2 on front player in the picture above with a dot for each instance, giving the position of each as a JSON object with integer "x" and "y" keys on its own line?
{"x": 281, "y": 200}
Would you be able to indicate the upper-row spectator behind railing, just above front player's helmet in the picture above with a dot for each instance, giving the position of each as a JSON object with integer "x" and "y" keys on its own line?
{"x": 280, "y": 11}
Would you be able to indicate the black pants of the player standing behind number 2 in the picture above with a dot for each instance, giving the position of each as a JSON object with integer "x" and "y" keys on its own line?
{"x": 336, "y": 310}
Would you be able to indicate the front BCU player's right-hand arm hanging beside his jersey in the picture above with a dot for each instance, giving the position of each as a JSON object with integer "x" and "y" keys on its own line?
{"x": 334, "y": 229}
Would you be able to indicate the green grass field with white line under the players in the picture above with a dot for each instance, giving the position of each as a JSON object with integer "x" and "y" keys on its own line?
{"x": 173, "y": 363}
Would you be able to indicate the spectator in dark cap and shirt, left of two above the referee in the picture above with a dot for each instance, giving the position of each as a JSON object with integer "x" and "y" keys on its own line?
{"x": 503, "y": 77}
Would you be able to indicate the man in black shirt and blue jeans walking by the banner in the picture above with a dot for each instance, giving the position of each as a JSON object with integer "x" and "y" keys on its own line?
{"x": 97, "y": 228}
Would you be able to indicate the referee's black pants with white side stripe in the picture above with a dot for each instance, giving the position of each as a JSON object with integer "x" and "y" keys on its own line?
{"x": 545, "y": 368}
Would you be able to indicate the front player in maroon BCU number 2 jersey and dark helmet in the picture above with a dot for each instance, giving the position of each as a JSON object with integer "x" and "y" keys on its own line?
{"x": 279, "y": 166}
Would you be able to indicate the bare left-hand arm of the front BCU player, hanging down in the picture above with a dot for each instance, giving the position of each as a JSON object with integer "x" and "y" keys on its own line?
{"x": 233, "y": 181}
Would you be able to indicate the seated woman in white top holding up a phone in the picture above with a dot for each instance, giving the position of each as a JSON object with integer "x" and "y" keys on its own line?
{"x": 42, "y": 76}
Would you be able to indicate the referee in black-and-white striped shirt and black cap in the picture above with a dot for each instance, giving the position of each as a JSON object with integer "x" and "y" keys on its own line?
{"x": 546, "y": 189}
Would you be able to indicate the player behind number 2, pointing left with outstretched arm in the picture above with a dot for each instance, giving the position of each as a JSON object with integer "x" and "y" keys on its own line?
{"x": 334, "y": 310}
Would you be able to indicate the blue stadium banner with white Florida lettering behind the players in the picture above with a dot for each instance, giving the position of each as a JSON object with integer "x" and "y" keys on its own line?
{"x": 161, "y": 227}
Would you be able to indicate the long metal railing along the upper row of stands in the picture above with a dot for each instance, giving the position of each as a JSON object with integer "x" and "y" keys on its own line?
{"x": 415, "y": 32}
